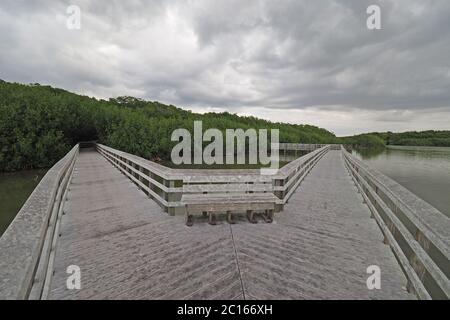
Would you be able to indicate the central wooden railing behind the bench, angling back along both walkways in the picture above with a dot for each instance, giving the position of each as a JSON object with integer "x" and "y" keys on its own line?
{"x": 166, "y": 185}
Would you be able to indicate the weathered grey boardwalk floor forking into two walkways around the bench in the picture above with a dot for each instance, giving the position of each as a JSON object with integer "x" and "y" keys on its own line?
{"x": 127, "y": 248}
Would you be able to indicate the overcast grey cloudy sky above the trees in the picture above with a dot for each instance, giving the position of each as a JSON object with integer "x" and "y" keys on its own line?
{"x": 311, "y": 62}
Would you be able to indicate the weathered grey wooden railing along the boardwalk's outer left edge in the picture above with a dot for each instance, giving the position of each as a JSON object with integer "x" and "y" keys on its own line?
{"x": 28, "y": 245}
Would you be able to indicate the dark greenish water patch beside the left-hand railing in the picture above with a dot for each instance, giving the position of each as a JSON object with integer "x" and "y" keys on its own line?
{"x": 15, "y": 188}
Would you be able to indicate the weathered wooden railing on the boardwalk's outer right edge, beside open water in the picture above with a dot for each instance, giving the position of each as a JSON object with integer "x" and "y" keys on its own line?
{"x": 421, "y": 249}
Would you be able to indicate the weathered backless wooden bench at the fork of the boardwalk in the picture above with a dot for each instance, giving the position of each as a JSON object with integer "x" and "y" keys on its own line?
{"x": 210, "y": 203}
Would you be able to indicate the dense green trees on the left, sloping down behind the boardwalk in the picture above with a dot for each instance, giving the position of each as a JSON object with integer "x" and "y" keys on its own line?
{"x": 39, "y": 124}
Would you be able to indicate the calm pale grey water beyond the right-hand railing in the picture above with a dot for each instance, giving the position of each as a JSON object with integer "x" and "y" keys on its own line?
{"x": 425, "y": 171}
